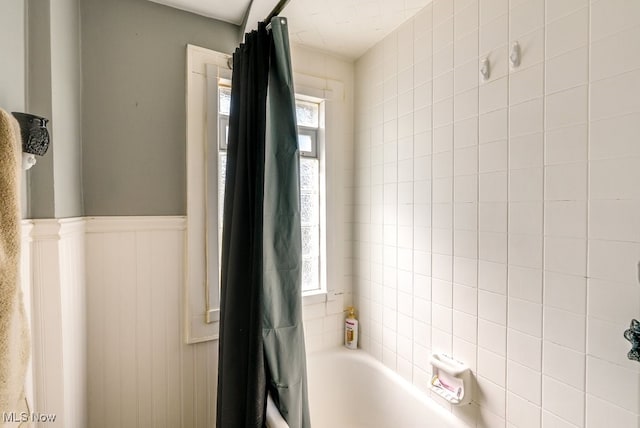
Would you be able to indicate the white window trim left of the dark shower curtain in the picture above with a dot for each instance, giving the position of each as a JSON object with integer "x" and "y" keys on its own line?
{"x": 201, "y": 306}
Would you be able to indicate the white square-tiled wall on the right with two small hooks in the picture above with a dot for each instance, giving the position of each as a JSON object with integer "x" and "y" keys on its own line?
{"x": 524, "y": 221}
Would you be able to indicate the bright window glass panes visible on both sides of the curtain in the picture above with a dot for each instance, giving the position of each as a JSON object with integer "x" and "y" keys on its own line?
{"x": 308, "y": 112}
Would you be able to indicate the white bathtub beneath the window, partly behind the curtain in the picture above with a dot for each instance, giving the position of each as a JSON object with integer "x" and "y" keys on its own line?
{"x": 350, "y": 389}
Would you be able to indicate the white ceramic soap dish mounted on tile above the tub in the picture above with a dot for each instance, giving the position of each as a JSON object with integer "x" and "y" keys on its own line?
{"x": 451, "y": 379}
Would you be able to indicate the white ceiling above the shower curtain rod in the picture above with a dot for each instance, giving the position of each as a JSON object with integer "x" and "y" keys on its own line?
{"x": 344, "y": 27}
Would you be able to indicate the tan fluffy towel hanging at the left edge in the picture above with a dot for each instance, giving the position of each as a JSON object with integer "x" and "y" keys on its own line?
{"x": 14, "y": 329}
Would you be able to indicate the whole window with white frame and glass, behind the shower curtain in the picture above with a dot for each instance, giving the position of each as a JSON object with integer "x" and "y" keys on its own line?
{"x": 323, "y": 171}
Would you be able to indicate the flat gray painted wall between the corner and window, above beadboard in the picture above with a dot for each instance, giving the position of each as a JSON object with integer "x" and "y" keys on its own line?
{"x": 133, "y": 97}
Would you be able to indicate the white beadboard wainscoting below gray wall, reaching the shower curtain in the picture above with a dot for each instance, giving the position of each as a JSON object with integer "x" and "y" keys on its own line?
{"x": 140, "y": 371}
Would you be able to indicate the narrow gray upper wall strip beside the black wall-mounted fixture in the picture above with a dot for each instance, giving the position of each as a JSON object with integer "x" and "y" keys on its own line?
{"x": 55, "y": 185}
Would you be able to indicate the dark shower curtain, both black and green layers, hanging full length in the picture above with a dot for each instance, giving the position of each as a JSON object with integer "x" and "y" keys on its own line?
{"x": 261, "y": 347}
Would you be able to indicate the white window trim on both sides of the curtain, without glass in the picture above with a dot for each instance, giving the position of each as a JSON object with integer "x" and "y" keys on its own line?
{"x": 204, "y": 69}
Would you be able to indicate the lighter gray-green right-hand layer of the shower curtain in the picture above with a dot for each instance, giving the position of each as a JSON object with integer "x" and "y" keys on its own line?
{"x": 282, "y": 302}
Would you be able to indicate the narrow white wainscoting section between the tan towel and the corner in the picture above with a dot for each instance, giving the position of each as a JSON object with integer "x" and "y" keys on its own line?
{"x": 54, "y": 254}
